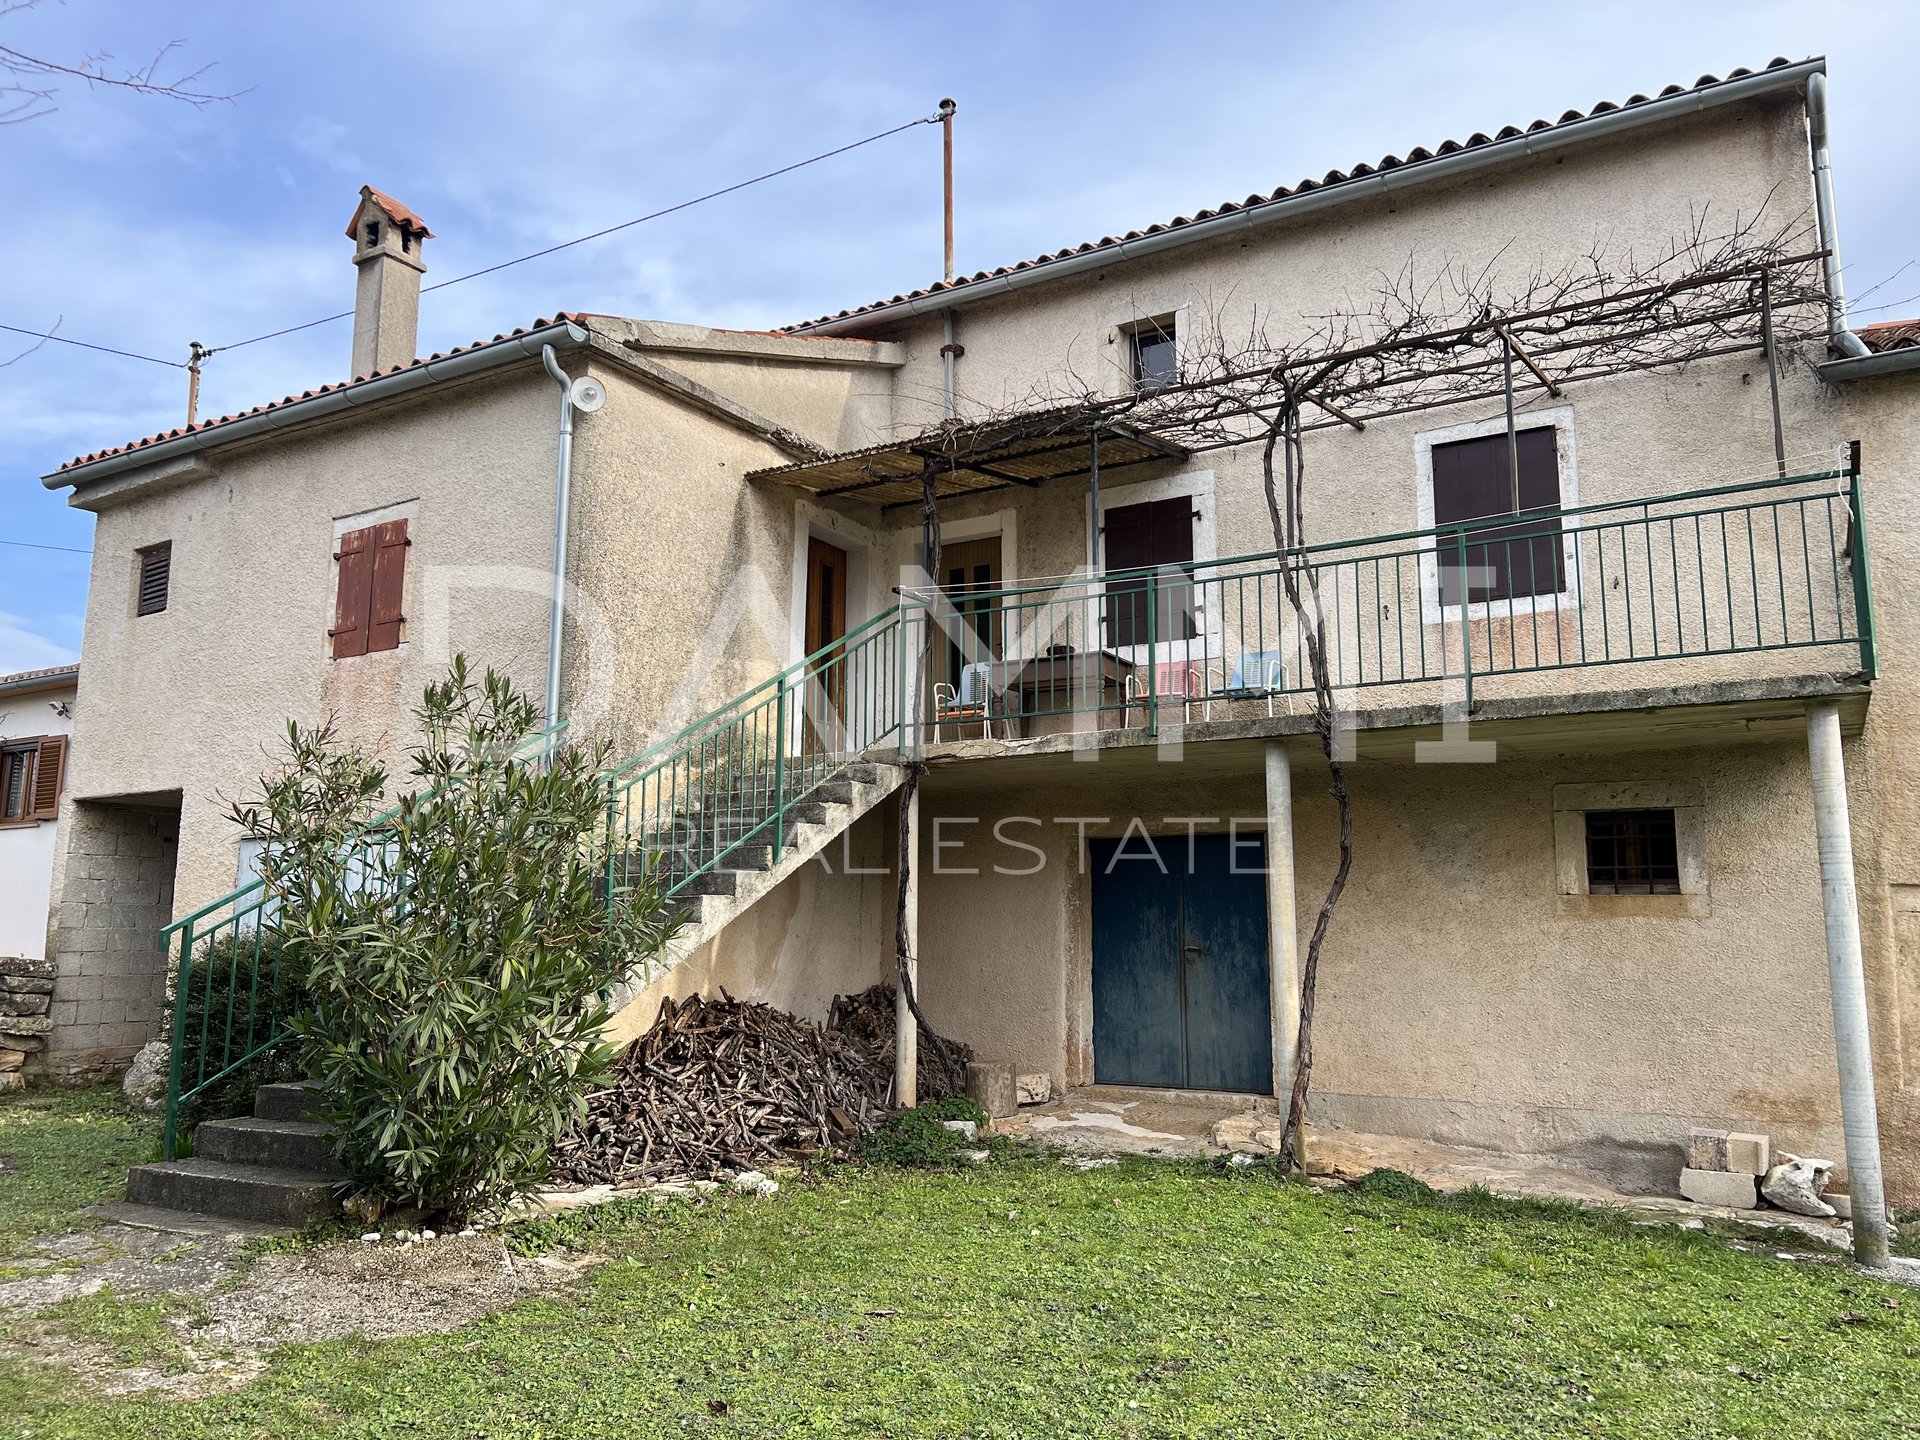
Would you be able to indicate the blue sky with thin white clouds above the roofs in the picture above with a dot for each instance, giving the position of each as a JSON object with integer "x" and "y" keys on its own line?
{"x": 143, "y": 226}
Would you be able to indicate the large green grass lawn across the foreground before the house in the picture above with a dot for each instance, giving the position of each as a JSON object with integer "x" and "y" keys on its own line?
{"x": 1028, "y": 1299}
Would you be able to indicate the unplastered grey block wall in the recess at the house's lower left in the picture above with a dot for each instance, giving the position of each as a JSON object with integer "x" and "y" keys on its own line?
{"x": 110, "y": 982}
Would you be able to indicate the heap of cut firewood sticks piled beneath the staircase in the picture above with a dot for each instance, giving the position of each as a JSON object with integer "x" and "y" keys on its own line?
{"x": 729, "y": 1086}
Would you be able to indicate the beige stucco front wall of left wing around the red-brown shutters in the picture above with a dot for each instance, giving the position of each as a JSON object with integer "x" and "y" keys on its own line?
{"x": 193, "y": 704}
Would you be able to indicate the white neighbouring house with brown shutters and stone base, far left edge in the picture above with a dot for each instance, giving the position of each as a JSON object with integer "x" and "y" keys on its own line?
{"x": 36, "y": 725}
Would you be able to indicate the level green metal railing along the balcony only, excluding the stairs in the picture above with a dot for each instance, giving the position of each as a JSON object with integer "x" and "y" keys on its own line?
{"x": 1775, "y": 565}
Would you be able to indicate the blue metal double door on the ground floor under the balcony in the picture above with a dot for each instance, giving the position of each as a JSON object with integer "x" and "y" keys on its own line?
{"x": 1180, "y": 965}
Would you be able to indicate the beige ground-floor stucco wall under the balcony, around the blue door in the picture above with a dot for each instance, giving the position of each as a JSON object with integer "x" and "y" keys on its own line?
{"x": 1458, "y": 999}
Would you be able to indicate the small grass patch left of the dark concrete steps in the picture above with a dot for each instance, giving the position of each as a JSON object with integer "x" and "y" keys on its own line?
{"x": 62, "y": 1151}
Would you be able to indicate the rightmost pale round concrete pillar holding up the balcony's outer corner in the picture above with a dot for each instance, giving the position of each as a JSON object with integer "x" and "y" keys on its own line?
{"x": 1848, "y": 982}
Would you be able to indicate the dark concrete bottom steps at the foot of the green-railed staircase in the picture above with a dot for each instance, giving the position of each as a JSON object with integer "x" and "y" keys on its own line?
{"x": 270, "y": 1168}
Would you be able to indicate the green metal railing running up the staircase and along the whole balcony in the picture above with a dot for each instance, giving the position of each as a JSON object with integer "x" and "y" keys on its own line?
{"x": 1698, "y": 577}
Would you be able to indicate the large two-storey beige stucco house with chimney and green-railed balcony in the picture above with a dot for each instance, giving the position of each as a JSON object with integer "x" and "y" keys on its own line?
{"x": 1610, "y": 934}
